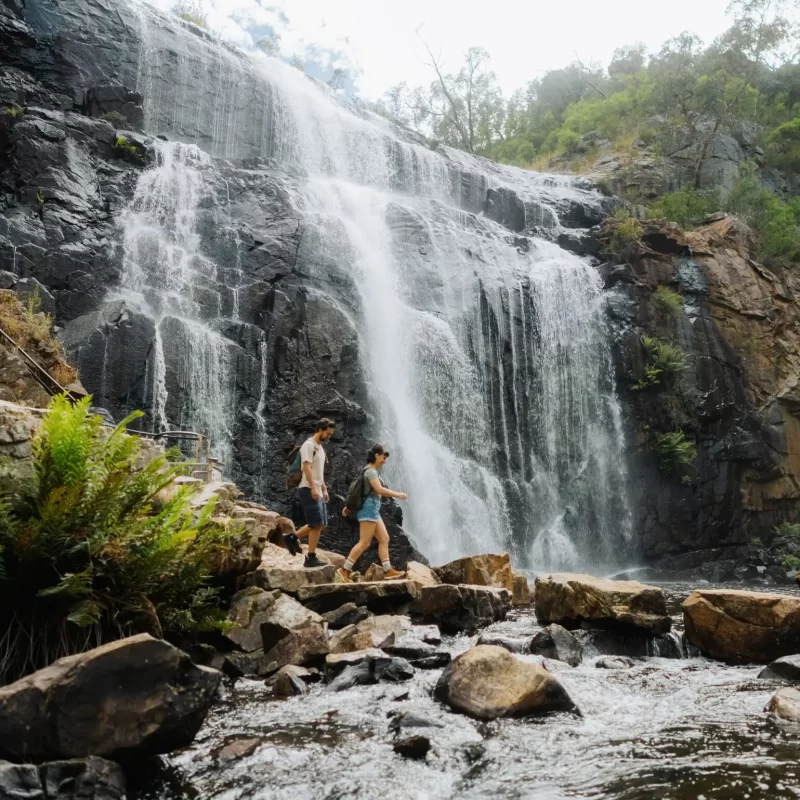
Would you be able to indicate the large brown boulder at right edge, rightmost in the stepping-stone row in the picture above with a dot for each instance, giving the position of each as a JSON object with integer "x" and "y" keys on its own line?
{"x": 740, "y": 626}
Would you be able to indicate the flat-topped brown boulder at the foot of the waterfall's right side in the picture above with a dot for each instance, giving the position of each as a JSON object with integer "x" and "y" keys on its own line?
{"x": 574, "y": 601}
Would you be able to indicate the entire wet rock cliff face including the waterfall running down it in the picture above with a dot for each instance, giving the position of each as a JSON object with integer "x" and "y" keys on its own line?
{"x": 230, "y": 249}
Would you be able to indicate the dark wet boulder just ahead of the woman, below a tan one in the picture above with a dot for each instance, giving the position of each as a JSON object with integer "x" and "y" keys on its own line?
{"x": 460, "y": 608}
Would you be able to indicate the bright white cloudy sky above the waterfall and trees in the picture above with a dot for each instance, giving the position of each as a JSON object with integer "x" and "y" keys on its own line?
{"x": 377, "y": 40}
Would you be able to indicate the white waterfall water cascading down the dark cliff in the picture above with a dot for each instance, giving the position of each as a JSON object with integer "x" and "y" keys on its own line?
{"x": 489, "y": 370}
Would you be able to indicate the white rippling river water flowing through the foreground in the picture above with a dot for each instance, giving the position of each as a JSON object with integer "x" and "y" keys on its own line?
{"x": 675, "y": 728}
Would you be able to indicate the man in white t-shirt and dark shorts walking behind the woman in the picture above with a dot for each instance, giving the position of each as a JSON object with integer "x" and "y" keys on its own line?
{"x": 312, "y": 494}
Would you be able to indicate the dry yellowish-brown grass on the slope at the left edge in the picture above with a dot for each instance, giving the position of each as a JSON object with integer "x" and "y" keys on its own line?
{"x": 31, "y": 329}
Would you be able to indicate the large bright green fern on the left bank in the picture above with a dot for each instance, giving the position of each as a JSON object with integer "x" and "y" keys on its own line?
{"x": 87, "y": 558}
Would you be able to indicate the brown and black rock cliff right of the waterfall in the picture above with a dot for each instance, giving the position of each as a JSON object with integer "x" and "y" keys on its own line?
{"x": 736, "y": 400}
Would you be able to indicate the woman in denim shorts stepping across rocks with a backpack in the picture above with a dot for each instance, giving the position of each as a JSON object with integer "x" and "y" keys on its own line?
{"x": 369, "y": 517}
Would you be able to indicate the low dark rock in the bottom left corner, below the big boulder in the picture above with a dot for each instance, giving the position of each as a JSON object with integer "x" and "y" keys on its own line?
{"x": 89, "y": 778}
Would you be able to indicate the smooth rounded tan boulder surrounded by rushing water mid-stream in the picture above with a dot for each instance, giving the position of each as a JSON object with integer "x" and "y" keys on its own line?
{"x": 488, "y": 682}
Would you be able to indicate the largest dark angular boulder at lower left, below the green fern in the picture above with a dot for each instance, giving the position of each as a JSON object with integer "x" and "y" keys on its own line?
{"x": 138, "y": 696}
